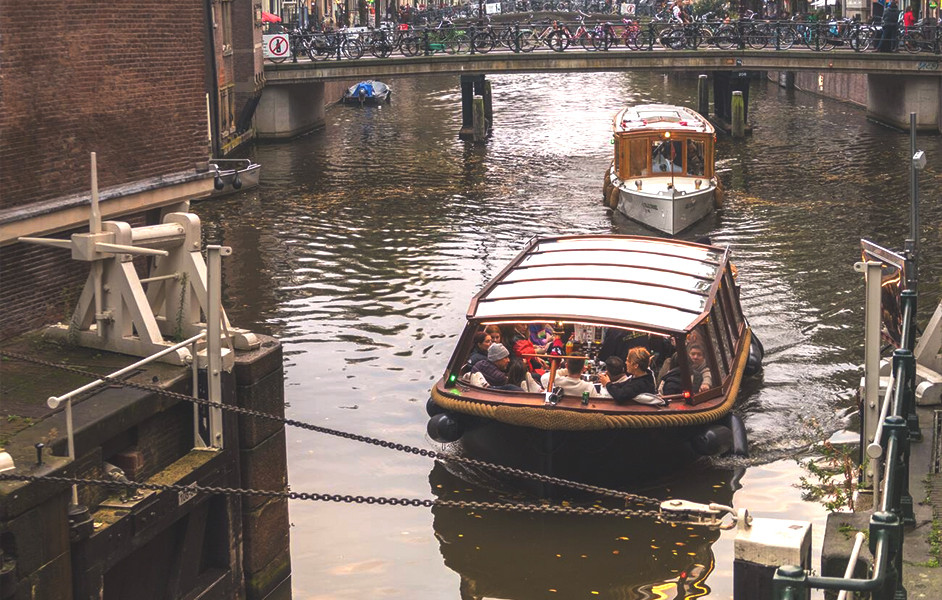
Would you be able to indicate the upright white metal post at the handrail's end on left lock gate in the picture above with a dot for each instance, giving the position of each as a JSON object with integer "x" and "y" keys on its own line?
{"x": 214, "y": 339}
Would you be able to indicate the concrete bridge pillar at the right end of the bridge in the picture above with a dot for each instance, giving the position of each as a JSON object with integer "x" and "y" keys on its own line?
{"x": 890, "y": 99}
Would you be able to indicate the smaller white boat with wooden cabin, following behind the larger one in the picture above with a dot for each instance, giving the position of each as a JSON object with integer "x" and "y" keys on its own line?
{"x": 663, "y": 173}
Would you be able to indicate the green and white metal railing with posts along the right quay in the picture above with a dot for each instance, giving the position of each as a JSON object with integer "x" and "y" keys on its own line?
{"x": 887, "y": 427}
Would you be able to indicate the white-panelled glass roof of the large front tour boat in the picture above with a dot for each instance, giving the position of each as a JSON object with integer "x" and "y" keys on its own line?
{"x": 622, "y": 280}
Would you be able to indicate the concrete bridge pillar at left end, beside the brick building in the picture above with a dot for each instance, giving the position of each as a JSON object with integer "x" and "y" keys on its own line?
{"x": 286, "y": 111}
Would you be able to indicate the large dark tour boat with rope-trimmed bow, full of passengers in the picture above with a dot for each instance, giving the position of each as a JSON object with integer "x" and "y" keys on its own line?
{"x": 592, "y": 297}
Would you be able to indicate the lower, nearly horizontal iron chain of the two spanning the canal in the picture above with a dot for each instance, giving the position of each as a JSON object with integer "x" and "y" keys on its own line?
{"x": 341, "y": 498}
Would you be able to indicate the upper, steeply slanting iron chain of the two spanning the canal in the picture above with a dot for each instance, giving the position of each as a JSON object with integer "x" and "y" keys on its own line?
{"x": 444, "y": 457}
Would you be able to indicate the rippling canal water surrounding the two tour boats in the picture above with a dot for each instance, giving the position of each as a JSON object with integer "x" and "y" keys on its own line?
{"x": 365, "y": 242}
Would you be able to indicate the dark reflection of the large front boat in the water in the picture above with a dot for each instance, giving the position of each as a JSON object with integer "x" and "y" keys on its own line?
{"x": 508, "y": 555}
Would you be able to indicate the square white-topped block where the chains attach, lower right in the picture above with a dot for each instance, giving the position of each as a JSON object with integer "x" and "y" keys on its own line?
{"x": 761, "y": 546}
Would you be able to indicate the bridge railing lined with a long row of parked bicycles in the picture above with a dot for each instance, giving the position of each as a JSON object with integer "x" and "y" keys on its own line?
{"x": 616, "y": 34}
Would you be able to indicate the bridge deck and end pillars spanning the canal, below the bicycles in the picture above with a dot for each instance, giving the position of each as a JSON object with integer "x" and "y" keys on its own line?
{"x": 293, "y": 100}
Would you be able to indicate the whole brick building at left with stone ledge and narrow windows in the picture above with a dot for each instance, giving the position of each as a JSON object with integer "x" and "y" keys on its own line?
{"x": 155, "y": 87}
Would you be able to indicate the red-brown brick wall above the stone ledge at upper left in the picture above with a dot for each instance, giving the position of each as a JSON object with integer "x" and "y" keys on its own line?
{"x": 124, "y": 79}
